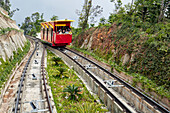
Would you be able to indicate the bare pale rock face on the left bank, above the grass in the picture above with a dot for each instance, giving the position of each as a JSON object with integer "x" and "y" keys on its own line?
{"x": 12, "y": 40}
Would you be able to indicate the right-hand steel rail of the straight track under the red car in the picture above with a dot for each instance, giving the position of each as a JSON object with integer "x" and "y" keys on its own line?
{"x": 146, "y": 98}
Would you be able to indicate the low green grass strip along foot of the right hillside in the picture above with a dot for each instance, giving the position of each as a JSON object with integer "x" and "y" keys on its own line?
{"x": 147, "y": 84}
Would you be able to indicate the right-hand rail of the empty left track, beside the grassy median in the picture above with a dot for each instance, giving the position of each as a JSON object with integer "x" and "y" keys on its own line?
{"x": 45, "y": 84}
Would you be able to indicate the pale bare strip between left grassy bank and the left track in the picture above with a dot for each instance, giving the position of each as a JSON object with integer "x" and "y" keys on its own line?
{"x": 8, "y": 93}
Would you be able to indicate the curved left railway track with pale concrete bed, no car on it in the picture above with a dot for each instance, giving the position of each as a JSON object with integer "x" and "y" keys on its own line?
{"x": 33, "y": 94}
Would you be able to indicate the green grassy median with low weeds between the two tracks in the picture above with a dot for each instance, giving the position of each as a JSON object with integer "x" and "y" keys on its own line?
{"x": 63, "y": 103}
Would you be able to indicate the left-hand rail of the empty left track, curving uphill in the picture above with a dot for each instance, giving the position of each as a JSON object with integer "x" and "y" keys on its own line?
{"x": 22, "y": 80}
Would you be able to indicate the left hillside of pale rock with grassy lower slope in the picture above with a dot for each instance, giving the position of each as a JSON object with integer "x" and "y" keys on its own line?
{"x": 13, "y": 47}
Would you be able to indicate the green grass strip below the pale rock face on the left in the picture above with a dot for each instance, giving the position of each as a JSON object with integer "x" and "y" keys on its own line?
{"x": 6, "y": 67}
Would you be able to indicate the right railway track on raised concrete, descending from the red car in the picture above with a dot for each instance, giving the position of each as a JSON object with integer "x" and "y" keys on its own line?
{"x": 109, "y": 86}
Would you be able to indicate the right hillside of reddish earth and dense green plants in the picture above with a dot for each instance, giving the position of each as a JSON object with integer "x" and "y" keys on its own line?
{"x": 132, "y": 49}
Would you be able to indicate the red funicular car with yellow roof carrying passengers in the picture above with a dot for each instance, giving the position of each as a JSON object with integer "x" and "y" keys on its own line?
{"x": 57, "y": 33}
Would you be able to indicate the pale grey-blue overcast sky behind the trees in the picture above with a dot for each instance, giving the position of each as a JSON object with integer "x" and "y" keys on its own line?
{"x": 61, "y": 8}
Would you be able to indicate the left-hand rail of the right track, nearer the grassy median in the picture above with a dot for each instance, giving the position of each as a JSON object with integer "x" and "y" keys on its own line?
{"x": 125, "y": 109}
